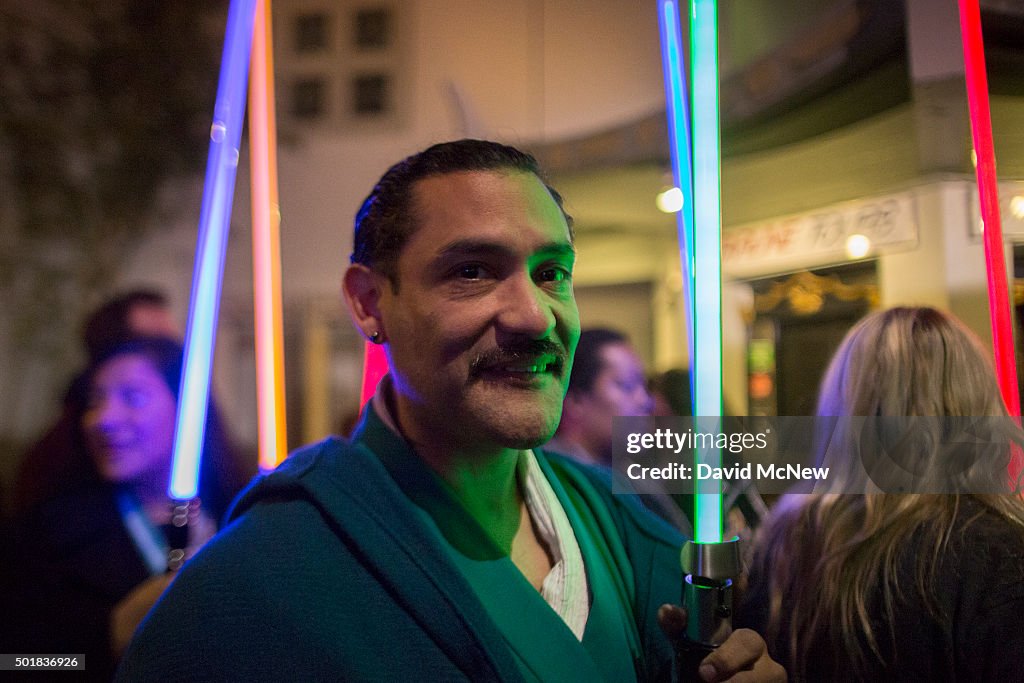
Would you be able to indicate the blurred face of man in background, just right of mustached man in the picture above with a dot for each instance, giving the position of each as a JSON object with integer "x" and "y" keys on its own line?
{"x": 619, "y": 390}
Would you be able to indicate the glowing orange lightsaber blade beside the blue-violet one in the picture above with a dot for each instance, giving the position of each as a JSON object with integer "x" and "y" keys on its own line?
{"x": 267, "y": 246}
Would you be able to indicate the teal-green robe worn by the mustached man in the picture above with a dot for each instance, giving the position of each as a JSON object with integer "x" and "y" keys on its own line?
{"x": 354, "y": 562}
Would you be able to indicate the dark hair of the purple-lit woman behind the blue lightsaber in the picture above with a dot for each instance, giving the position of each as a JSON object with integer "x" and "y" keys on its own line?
{"x": 222, "y": 474}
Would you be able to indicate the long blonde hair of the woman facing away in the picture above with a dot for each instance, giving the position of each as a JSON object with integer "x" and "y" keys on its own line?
{"x": 832, "y": 561}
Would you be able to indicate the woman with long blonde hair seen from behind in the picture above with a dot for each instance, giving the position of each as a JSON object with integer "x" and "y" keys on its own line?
{"x": 909, "y": 587}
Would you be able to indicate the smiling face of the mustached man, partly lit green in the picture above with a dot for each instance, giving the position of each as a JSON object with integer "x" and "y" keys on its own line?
{"x": 484, "y": 326}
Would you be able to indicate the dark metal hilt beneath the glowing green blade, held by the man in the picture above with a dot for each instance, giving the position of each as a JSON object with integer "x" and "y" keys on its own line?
{"x": 709, "y": 570}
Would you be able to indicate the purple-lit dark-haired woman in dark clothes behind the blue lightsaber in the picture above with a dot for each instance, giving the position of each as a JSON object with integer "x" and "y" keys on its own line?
{"x": 88, "y": 565}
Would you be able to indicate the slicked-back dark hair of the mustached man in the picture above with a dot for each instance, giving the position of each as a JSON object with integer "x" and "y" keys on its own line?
{"x": 386, "y": 221}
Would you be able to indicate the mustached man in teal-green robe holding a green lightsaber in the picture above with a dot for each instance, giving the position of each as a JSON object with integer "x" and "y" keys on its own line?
{"x": 442, "y": 544}
